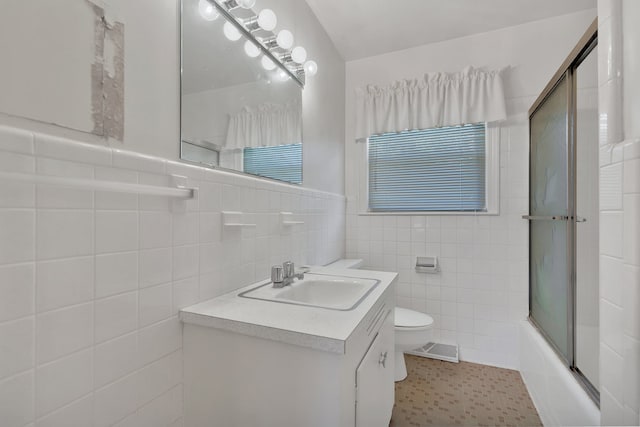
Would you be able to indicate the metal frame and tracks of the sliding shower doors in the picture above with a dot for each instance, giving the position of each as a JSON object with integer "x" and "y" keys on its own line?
{"x": 588, "y": 43}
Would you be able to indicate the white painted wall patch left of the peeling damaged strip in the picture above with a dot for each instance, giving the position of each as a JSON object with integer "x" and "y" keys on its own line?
{"x": 37, "y": 81}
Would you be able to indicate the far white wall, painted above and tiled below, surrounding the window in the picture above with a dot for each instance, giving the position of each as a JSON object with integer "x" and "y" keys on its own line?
{"x": 481, "y": 293}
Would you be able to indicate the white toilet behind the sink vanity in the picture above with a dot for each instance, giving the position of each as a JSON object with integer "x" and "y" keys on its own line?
{"x": 412, "y": 328}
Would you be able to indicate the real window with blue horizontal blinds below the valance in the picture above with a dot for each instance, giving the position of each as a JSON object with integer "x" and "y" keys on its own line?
{"x": 432, "y": 170}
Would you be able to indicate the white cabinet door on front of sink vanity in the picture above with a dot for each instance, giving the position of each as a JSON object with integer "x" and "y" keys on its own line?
{"x": 375, "y": 388}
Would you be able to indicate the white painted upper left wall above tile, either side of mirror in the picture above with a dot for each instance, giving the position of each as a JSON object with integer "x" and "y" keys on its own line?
{"x": 152, "y": 91}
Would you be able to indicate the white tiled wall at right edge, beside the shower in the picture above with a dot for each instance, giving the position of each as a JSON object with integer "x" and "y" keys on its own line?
{"x": 620, "y": 291}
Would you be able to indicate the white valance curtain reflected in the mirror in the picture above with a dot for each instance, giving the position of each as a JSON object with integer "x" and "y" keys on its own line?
{"x": 265, "y": 125}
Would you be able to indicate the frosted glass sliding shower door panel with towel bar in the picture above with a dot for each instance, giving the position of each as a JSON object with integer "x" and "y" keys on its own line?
{"x": 550, "y": 230}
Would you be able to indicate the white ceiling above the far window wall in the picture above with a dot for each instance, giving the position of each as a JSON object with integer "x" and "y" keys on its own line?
{"x": 362, "y": 28}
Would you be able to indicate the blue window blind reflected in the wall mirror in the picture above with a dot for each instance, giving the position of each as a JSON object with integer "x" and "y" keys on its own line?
{"x": 281, "y": 162}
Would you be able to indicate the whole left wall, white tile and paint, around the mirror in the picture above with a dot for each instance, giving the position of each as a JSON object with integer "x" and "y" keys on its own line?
{"x": 91, "y": 283}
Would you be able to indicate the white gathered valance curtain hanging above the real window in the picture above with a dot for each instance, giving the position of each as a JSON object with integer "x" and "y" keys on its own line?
{"x": 436, "y": 100}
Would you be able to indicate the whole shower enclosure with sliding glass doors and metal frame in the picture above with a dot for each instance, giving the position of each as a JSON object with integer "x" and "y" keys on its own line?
{"x": 563, "y": 214}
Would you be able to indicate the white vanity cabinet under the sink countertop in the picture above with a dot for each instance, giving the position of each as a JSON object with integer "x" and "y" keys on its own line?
{"x": 257, "y": 378}
